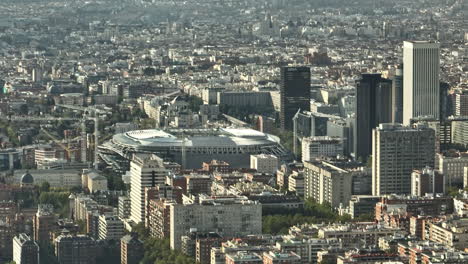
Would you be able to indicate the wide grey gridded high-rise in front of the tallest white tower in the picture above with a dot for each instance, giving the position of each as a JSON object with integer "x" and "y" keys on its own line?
{"x": 397, "y": 150}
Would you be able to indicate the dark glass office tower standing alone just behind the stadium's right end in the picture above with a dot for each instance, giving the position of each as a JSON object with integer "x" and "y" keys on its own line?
{"x": 294, "y": 94}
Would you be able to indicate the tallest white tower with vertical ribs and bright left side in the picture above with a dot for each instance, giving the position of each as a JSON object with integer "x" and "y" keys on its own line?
{"x": 420, "y": 80}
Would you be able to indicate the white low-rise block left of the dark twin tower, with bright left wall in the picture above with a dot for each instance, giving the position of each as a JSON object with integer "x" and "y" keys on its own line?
{"x": 324, "y": 146}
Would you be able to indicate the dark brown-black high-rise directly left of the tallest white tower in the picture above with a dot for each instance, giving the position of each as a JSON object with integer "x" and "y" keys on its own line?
{"x": 373, "y": 107}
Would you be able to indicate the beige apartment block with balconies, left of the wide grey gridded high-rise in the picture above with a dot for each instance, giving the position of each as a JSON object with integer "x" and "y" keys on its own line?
{"x": 325, "y": 182}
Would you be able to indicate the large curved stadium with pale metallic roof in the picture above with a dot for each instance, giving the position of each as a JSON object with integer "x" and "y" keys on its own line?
{"x": 233, "y": 145}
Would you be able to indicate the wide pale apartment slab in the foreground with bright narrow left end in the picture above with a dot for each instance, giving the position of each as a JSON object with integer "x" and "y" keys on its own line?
{"x": 228, "y": 216}
